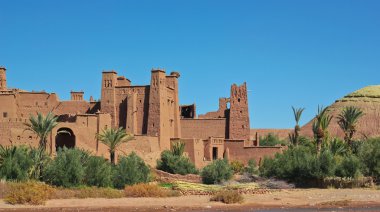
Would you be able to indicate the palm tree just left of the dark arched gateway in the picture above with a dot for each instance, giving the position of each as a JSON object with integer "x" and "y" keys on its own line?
{"x": 42, "y": 127}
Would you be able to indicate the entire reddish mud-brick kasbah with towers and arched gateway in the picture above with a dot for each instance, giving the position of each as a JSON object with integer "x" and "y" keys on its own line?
{"x": 151, "y": 113}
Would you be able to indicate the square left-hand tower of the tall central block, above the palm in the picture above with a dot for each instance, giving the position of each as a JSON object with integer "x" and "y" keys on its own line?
{"x": 107, "y": 102}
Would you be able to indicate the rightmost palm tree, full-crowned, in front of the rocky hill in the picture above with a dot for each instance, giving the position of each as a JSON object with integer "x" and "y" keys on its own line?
{"x": 348, "y": 120}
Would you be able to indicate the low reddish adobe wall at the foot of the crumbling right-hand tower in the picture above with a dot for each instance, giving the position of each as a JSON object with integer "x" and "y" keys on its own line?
{"x": 237, "y": 151}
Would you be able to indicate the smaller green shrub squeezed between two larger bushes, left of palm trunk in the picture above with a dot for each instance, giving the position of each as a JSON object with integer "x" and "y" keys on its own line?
{"x": 98, "y": 172}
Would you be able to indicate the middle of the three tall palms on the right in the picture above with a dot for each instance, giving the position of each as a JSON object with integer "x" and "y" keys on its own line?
{"x": 320, "y": 124}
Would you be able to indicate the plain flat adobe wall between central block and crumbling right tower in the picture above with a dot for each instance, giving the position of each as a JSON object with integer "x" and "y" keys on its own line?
{"x": 203, "y": 128}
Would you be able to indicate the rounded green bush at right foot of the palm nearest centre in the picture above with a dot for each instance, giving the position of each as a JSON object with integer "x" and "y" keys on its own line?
{"x": 131, "y": 170}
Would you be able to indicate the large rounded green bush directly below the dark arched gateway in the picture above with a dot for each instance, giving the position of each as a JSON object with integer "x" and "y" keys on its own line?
{"x": 67, "y": 169}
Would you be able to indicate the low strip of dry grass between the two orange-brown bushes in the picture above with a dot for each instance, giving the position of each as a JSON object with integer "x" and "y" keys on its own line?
{"x": 87, "y": 192}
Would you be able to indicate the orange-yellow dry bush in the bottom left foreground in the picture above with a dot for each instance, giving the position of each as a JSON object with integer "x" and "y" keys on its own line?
{"x": 33, "y": 193}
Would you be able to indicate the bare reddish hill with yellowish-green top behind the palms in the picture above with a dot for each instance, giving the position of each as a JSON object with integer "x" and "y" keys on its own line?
{"x": 368, "y": 99}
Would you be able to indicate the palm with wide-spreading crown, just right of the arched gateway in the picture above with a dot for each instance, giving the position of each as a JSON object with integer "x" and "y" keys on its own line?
{"x": 113, "y": 138}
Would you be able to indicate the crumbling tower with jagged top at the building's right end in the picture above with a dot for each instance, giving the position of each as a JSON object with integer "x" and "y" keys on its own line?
{"x": 239, "y": 128}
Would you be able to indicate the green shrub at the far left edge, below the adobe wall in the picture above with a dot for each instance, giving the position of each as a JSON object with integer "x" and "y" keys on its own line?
{"x": 15, "y": 163}
